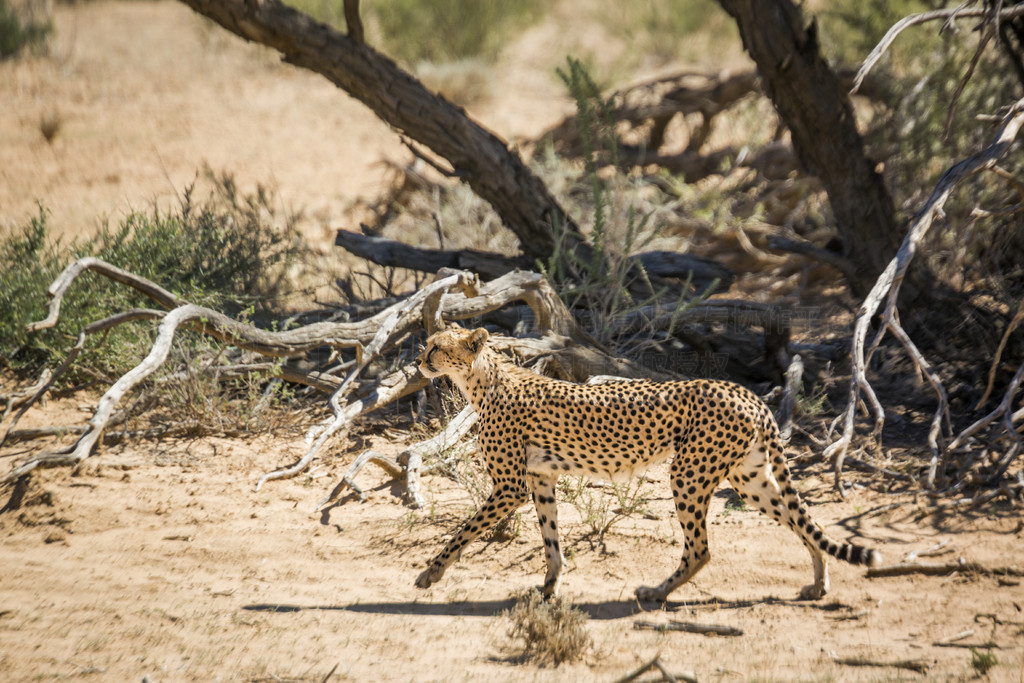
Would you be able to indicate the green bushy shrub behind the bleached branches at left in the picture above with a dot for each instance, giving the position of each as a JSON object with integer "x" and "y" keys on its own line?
{"x": 226, "y": 253}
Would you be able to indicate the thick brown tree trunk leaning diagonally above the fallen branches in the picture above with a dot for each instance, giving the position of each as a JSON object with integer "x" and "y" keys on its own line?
{"x": 478, "y": 157}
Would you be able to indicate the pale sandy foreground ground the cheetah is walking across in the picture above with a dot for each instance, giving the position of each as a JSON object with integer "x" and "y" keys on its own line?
{"x": 161, "y": 561}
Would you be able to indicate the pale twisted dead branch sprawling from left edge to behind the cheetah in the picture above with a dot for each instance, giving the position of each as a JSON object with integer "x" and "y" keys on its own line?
{"x": 453, "y": 296}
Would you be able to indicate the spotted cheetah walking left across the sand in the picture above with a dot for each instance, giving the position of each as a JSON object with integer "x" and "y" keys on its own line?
{"x": 534, "y": 430}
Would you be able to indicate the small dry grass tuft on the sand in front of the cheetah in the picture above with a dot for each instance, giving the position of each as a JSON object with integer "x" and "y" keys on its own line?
{"x": 548, "y": 632}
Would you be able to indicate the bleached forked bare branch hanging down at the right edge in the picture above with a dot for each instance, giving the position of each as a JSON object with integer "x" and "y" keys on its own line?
{"x": 887, "y": 290}
